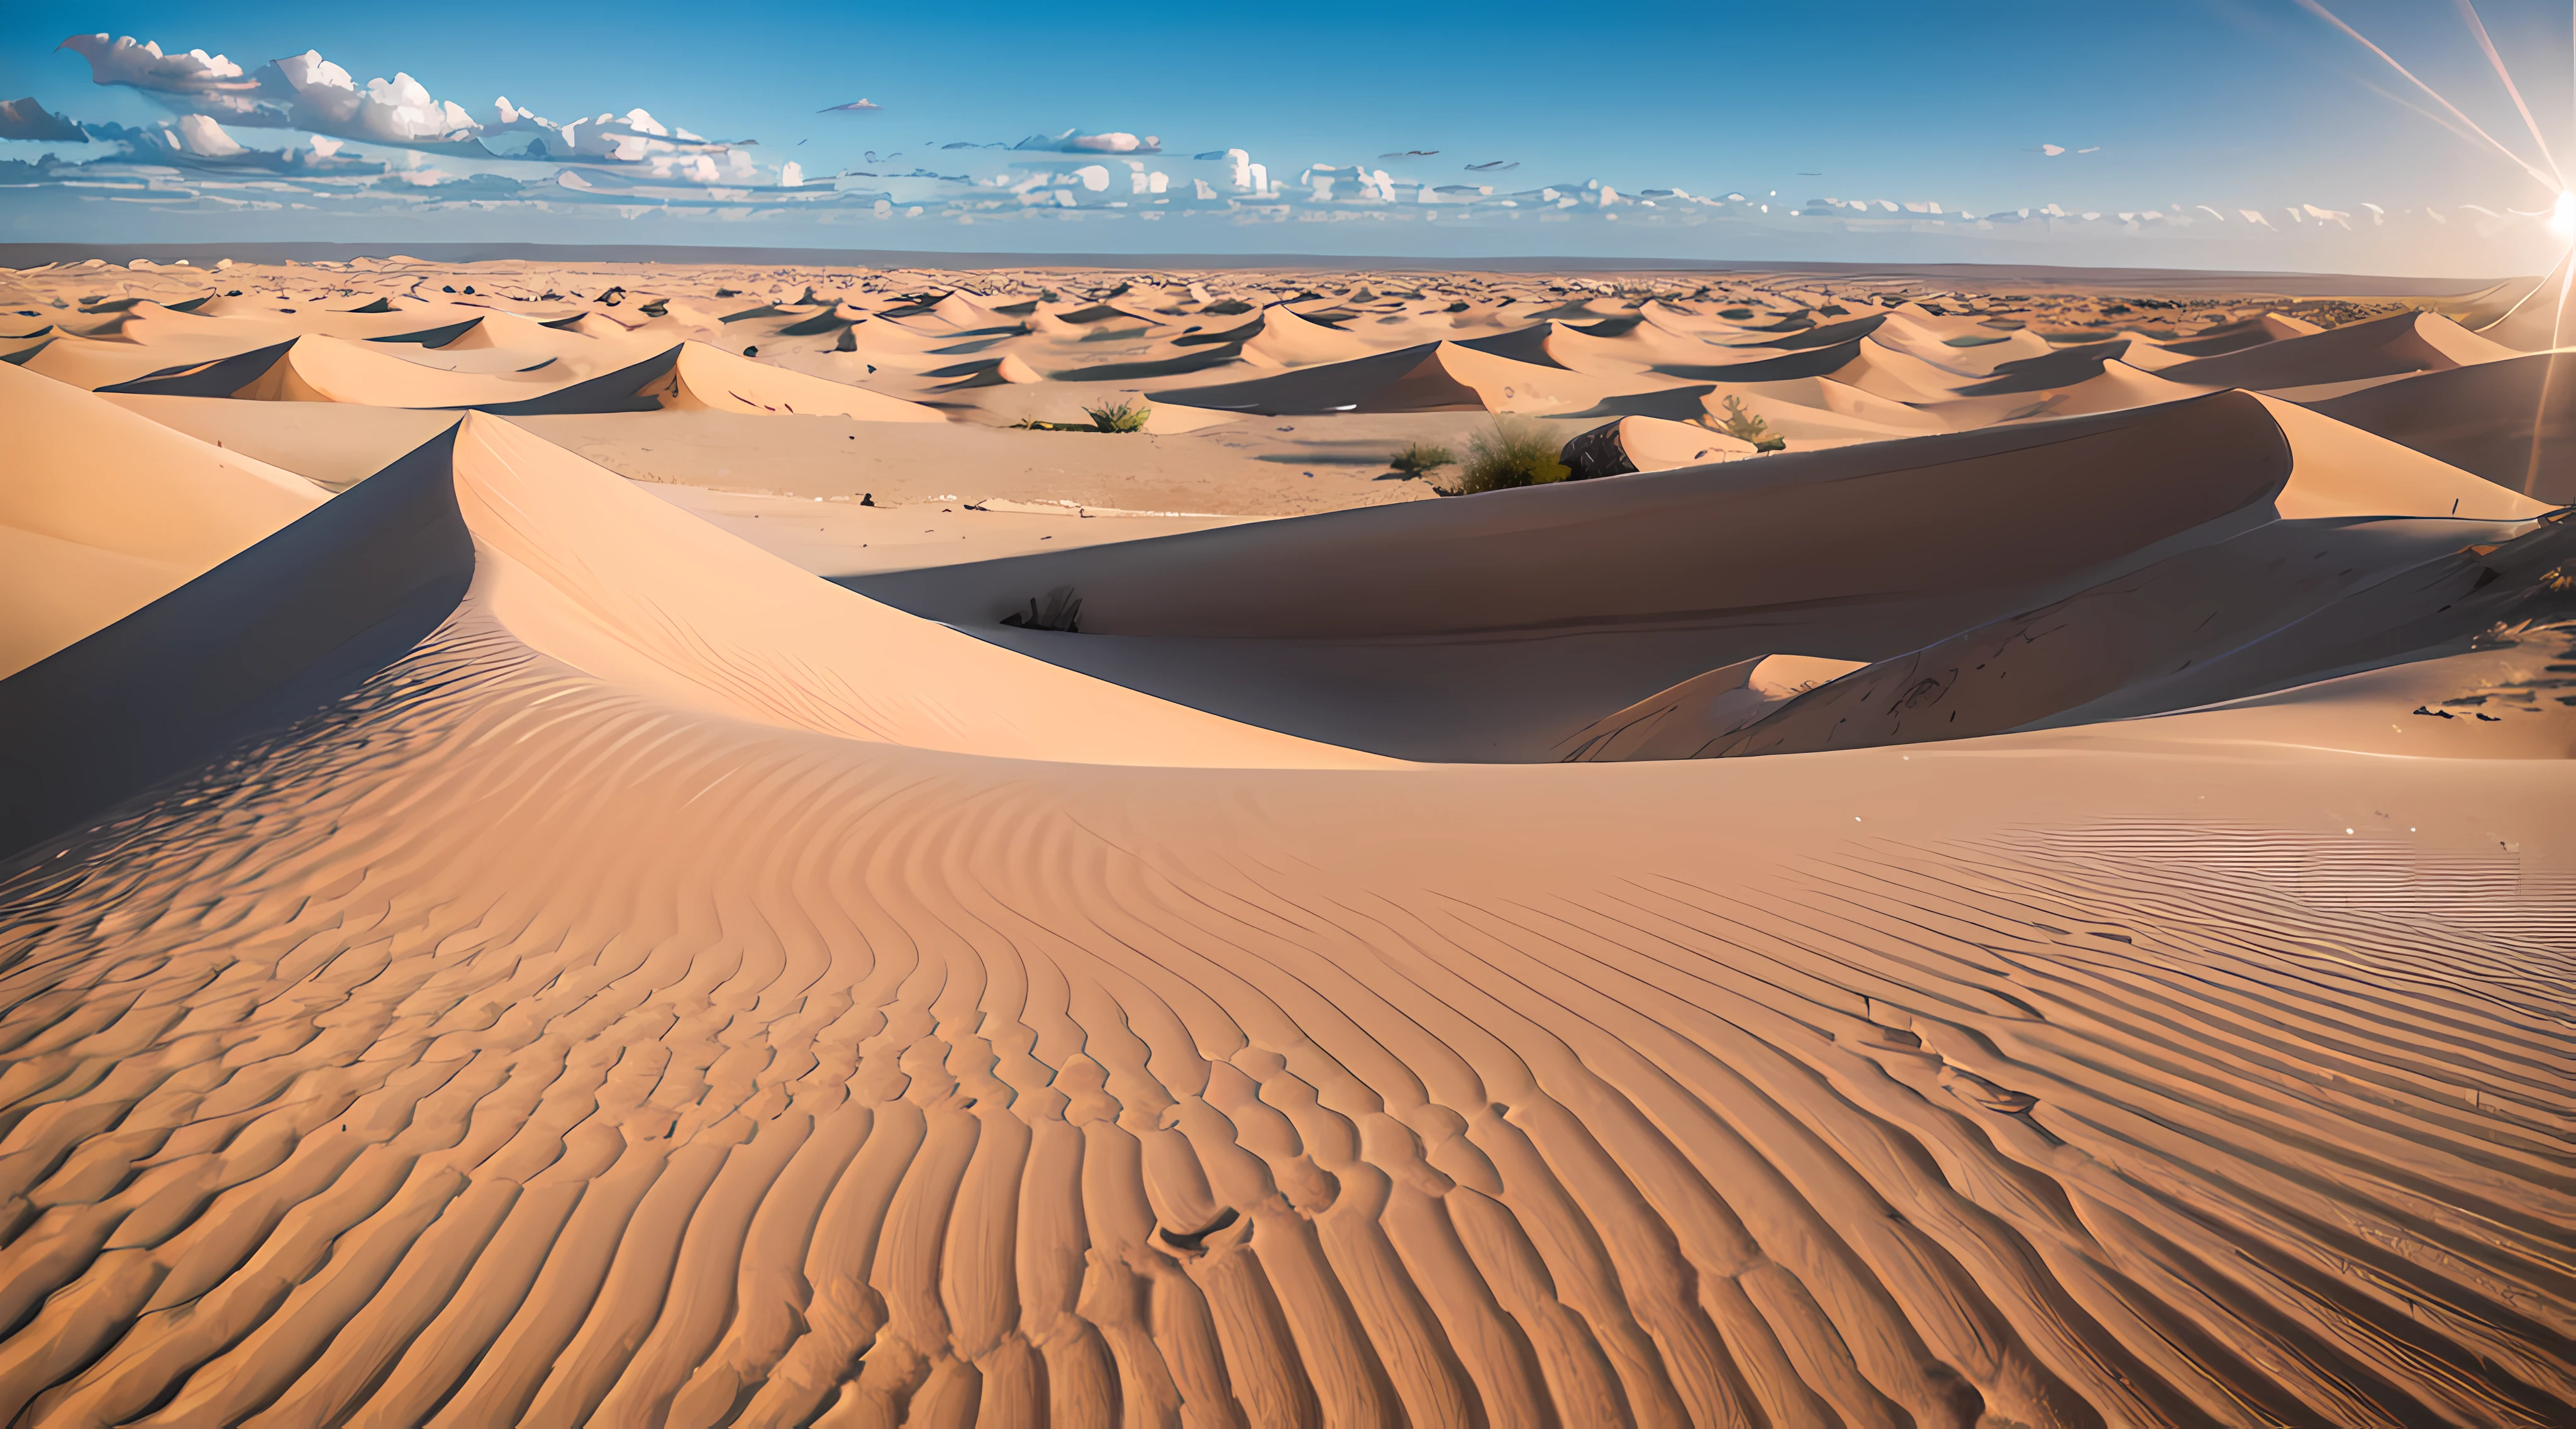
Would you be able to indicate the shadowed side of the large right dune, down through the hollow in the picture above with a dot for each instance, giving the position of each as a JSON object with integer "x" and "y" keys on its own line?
{"x": 1490, "y": 630}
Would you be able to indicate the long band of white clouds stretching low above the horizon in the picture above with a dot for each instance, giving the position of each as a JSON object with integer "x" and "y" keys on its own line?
{"x": 303, "y": 135}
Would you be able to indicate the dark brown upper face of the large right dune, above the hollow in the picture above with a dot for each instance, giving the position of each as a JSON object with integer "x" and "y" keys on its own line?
{"x": 1647, "y": 552}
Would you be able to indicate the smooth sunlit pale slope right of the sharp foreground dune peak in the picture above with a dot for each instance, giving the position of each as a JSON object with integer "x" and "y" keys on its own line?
{"x": 609, "y": 581}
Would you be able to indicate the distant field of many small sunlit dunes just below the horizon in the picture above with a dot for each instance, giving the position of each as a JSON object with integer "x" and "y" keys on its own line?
{"x": 944, "y": 344}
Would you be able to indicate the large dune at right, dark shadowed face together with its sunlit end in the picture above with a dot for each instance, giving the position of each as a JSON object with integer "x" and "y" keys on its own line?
{"x": 1503, "y": 627}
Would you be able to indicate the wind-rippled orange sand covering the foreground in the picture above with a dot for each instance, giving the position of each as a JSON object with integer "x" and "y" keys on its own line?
{"x": 790, "y": 1080}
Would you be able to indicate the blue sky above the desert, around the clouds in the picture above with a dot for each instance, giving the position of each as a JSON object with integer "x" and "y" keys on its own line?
{"x": 2191, "y": 107}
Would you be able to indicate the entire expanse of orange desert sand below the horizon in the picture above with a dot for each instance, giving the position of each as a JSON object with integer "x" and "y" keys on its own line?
{"x": 658, "y": 846}
